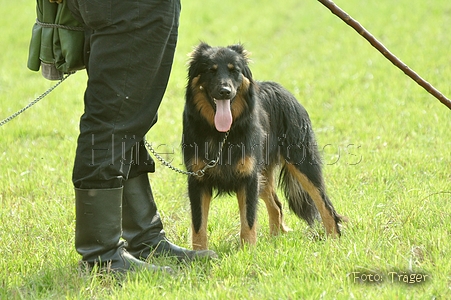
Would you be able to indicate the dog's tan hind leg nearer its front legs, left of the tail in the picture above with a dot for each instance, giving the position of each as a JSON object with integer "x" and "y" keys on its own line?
{"x": 273, "y": 205}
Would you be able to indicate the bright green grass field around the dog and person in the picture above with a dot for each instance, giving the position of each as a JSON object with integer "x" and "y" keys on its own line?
{"x": 386, "y": 145}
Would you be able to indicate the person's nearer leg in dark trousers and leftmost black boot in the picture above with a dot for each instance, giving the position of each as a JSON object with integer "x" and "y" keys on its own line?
{"x": 127, "y": 46}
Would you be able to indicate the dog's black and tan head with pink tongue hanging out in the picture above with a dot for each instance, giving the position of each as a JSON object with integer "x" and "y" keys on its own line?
{"x": 220, "y": 76}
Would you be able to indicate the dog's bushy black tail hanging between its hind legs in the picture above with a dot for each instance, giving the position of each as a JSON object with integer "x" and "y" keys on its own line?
{"x": 298, "y": 199}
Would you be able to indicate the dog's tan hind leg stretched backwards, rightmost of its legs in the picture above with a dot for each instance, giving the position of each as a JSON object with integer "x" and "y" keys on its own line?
{"x": 328, "y": 215}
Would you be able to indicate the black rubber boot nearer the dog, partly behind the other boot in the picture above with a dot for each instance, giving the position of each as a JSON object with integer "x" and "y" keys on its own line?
{"x": 142, "y": 226}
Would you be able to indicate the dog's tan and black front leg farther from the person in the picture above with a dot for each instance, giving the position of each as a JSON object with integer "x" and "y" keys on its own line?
{"x": 248, "y": 201}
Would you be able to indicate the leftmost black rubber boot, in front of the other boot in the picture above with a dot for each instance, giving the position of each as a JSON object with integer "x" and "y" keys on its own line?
{"x": 98, "y": 231}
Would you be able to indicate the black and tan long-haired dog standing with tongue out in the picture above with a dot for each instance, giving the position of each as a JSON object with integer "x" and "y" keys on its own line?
{"x": 236, "y": 133}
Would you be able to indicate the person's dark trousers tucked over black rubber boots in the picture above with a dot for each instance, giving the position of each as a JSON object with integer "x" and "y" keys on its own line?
{"x": 129, "y": 55}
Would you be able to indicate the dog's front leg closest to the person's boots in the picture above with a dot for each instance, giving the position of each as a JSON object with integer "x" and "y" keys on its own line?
{"x": 200, "y": 198}
